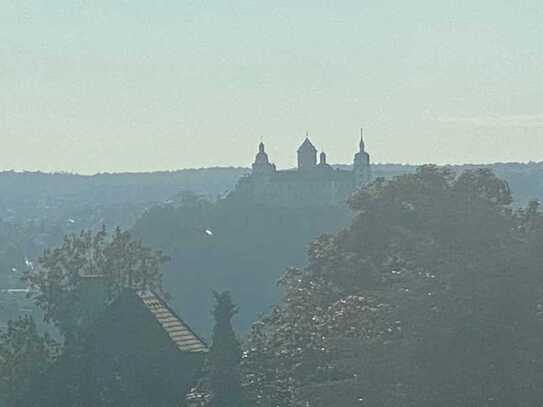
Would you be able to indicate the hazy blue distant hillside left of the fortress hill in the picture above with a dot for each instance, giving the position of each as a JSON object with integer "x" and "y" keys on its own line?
{"x": 38, "y": 209}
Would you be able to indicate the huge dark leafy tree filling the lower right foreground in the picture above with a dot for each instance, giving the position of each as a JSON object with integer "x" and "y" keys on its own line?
{"x": 433, "y": 296}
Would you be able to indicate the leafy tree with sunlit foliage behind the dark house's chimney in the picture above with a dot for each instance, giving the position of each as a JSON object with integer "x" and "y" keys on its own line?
{"x": 117, "y": 261}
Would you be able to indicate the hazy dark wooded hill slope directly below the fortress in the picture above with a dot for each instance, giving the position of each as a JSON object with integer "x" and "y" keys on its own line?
{"x": 241, "y": 247}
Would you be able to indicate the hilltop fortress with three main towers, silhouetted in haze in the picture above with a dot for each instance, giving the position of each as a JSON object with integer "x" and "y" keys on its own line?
{"x": 312, "y": 183}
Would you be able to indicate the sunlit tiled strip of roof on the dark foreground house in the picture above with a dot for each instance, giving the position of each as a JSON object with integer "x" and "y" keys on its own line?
{"x": 179, "y": 332}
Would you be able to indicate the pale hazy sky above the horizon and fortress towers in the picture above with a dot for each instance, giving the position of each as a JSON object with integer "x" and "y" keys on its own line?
{"x": 111, "y": 85}
